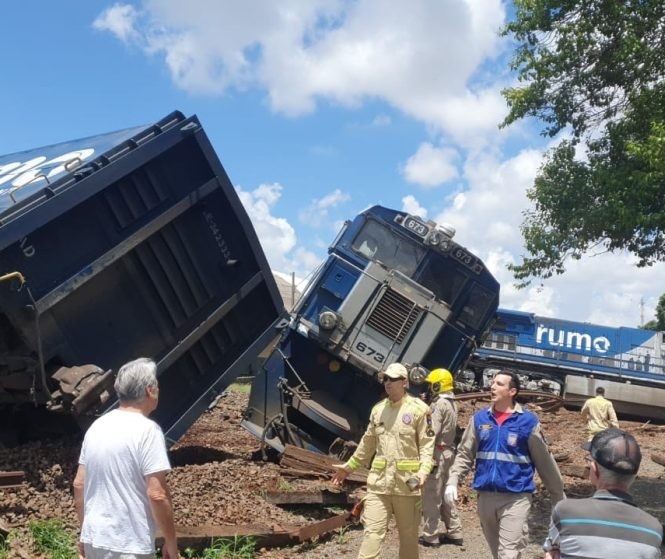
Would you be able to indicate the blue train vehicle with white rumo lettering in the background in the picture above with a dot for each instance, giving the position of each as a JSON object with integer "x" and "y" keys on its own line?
{"x": 577, "y": 357}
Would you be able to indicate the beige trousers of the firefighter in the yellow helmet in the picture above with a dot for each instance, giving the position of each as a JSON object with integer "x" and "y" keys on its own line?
{"x": 434, "y": 507}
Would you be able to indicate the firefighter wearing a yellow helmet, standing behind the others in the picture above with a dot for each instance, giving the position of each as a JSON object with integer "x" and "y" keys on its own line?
{"x": 443, "y": 412}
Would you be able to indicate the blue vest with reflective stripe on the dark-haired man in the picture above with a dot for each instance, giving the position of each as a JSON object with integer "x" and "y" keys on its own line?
{"x": 503, "y": 462}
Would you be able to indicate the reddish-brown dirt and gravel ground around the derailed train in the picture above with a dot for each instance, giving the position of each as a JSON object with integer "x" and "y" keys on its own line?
{"x": 215, "y": 481}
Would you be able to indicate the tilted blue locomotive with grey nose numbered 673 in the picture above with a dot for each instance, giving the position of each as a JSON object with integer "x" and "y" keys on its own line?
{"x": 394, "y": 288}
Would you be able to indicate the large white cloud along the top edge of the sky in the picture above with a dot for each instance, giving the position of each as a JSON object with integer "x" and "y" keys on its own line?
{"x": 419, "y": 56}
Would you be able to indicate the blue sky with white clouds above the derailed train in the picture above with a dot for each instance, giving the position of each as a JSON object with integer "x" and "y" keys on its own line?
{"x": 317, "y": 109}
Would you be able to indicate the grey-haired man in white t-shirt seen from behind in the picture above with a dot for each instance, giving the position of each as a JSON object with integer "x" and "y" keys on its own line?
{"x": 120, "y": 489}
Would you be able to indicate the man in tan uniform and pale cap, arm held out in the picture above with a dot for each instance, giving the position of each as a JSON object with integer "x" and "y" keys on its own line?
{"x": 401, "y": 444}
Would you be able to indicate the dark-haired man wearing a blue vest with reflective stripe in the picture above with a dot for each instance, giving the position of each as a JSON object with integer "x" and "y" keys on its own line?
{"x": 505, "y": 443}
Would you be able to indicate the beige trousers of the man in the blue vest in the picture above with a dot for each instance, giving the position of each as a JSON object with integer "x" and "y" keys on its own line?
{"x": 503, "y": 517}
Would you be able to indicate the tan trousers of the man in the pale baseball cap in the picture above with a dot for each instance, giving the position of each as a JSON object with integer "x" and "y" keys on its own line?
{"x": 376, "y": 515}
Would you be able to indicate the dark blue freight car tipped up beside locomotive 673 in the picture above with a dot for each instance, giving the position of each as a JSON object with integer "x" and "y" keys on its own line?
{"x": 123, "y": 245}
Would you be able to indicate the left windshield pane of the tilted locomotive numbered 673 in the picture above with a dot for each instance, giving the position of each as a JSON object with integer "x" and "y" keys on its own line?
{"x": 378, "y": 243}
